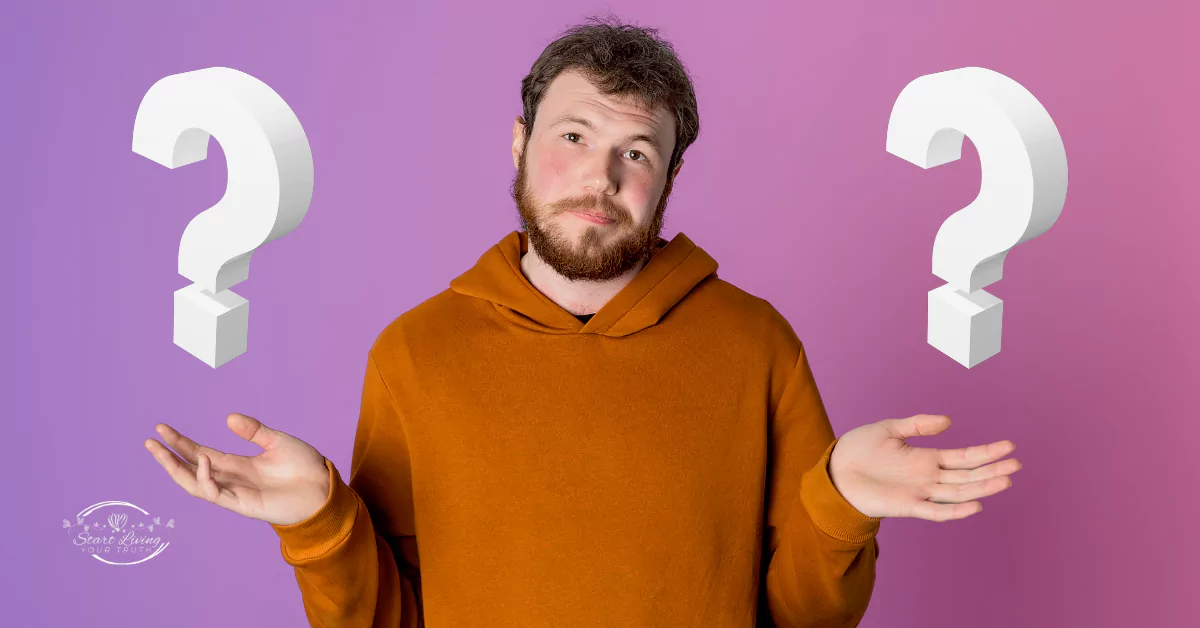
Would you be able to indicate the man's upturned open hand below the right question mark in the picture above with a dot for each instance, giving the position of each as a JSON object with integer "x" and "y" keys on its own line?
{"x": 880, "y": 475}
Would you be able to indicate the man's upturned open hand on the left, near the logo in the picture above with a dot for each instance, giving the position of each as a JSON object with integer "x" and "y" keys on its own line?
{"x": 285, "y": 485}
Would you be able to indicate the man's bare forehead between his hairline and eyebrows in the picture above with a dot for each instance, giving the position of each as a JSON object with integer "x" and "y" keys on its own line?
{"x": 572, "y": 94}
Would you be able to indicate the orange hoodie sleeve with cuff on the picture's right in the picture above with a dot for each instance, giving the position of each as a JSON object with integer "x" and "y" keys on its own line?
{"x": 820, "y": 554}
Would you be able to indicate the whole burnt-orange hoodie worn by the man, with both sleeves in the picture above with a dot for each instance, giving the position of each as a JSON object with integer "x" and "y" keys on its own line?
{"x": 664, "y": 464}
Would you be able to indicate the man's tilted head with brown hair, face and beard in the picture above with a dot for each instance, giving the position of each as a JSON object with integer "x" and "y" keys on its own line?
{"x": 609, "y": 111}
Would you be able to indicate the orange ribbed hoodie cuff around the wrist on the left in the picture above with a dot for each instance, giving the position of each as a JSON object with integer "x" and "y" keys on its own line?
{"x": 326, "y": 529}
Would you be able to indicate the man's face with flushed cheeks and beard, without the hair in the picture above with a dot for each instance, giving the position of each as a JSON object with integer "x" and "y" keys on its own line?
{"x": 569, "y": 168}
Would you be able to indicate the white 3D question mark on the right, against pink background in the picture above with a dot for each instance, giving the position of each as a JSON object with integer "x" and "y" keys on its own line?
{"x": 1023, "y": 189}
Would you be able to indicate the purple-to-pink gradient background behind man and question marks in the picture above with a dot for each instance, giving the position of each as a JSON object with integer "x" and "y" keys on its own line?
{"x": 410, "y": 112}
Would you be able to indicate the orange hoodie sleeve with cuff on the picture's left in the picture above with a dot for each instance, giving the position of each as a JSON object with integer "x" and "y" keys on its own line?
{"x": 352, "y": 572}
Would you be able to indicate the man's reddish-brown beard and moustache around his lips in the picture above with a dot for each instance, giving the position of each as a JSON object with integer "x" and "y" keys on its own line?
{"x": 603, "y": 252}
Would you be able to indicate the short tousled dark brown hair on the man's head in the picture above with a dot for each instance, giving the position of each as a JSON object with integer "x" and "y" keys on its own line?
{"x": 621, "y": 61}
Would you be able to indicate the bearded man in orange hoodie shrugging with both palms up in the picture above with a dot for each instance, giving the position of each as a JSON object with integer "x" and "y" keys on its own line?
{"x": 590, "y": 428}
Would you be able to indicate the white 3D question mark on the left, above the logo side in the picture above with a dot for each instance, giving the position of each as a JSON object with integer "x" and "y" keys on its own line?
{"x": 269, "y": 190}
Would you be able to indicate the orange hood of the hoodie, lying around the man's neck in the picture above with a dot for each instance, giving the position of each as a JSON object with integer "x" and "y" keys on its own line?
{"x": 674, "y": 270}
